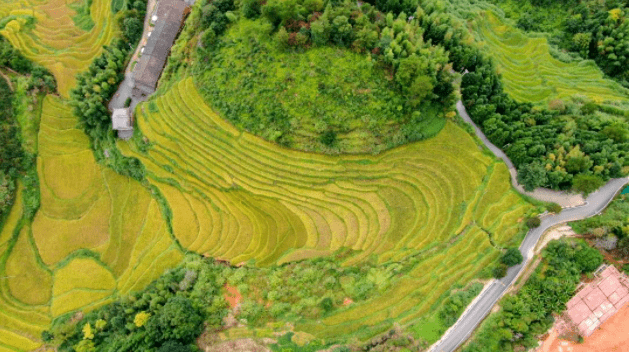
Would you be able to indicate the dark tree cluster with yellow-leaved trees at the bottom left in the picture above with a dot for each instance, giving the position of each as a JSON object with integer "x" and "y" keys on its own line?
{"x": 166, "y": 316}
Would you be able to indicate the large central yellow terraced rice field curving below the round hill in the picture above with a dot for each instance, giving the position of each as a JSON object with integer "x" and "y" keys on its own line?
{"x": 237, "y": 197}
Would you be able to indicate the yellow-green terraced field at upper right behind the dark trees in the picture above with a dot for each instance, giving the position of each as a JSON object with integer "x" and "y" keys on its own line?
{"x": 531, "y": 74}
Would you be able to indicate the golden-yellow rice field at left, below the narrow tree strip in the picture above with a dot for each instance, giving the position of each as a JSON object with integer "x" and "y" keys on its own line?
{"x": 96, "y": 235}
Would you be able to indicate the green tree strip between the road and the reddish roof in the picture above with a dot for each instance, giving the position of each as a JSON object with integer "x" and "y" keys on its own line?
{"x": 529, "y": 313}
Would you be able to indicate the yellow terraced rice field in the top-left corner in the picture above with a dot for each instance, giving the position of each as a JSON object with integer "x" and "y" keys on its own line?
{"x": 55, "y": 41}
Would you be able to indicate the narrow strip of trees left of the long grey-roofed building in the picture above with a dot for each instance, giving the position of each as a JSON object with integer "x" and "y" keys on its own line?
{"x": 96, "y": 86}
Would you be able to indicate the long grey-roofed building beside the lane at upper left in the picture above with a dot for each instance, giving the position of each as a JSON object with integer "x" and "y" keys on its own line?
{"x": 168, "y": 20}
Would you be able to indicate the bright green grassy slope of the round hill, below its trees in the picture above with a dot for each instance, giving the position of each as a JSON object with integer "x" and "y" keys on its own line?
{"x": 325, "y": 99}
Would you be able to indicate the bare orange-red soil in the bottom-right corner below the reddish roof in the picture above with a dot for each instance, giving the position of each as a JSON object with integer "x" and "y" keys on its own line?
{"x": 612, "y": 336}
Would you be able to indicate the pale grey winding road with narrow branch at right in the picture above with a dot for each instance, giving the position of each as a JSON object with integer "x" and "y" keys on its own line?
{"x": 482, "y": 305}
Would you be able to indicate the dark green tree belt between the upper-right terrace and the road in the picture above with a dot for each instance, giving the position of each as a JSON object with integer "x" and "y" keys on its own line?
{"x": 549, "y": 147}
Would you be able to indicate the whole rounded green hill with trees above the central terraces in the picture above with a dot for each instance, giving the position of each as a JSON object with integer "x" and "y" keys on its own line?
{"x": 323, "y": 78}
